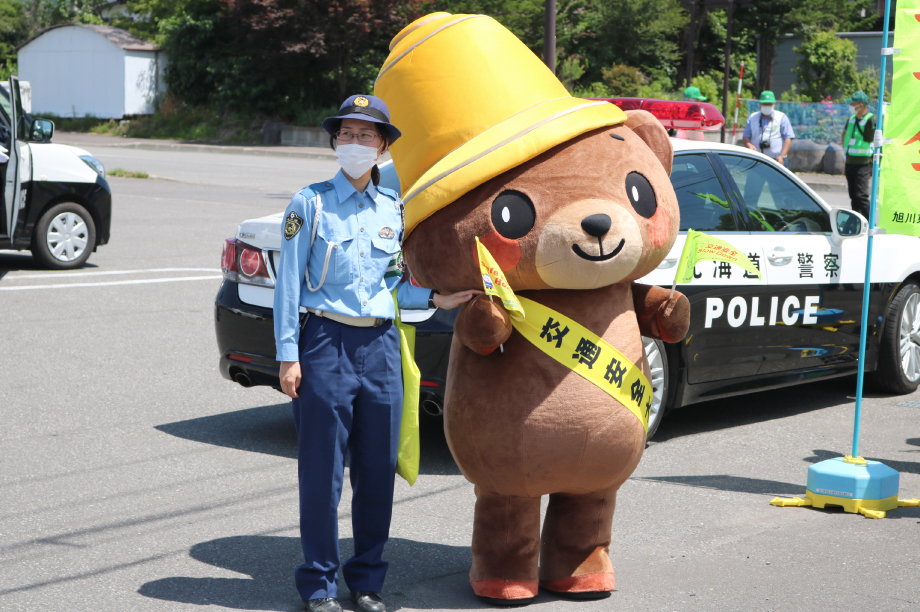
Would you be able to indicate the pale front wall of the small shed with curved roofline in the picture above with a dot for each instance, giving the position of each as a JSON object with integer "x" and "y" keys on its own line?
{"x": 74, "y": 72}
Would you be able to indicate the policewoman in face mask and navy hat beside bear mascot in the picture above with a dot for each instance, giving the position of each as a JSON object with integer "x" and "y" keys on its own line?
{"x": 340, "y": 361}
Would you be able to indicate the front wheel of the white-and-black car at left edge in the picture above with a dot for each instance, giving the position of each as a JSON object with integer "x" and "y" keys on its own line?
{"x": 64, "y": 237}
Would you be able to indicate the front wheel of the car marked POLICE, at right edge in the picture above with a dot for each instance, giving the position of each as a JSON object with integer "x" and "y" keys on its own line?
{"x": 898, "y": 368}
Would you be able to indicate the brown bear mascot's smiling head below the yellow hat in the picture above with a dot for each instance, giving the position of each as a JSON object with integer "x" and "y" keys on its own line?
{"x": 593, "y": 211}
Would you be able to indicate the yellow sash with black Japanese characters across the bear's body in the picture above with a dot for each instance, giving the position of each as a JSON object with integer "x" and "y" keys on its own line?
{"x": 589, "y": 356}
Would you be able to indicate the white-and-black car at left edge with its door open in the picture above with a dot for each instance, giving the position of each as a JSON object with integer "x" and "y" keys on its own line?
{"x": 54, "y": 199}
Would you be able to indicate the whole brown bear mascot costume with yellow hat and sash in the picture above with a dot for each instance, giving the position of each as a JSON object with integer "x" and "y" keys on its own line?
{"x": 572, "y": 199}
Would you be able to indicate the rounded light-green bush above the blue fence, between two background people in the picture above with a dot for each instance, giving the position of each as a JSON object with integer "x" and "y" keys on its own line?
{"x": 827, "y": 65}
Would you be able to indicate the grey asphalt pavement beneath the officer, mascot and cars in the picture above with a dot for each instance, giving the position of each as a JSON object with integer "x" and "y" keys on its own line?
{"x": 134, "y": 477}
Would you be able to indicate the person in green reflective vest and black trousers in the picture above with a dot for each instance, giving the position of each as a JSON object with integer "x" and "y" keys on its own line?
{"x": 858, "y": 134}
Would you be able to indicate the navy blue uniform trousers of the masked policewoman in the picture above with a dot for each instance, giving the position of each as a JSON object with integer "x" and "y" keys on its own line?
{"x": 350, "y": 398}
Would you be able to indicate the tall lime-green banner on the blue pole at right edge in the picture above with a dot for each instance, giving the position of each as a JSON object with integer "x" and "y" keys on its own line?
{"x": 899, "y": 189}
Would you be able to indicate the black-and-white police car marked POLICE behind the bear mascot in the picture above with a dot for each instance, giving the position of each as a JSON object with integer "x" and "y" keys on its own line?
{"x": 798, "y": 323}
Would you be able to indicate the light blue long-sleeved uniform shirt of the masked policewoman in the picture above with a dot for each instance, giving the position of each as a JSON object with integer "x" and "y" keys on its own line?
{"x": 361, "y": 232}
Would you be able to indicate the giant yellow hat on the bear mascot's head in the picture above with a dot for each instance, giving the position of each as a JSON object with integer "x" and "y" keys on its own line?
{"x": 472, "y": 101}
